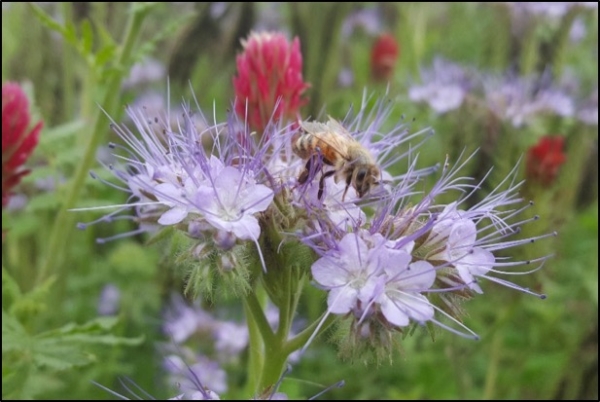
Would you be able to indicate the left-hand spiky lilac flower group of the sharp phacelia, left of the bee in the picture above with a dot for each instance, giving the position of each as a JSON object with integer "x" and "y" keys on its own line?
{"x": 173, "y": 181}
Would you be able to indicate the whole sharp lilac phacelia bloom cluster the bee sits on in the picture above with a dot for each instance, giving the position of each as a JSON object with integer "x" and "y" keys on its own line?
{"x": 387, "y": 259}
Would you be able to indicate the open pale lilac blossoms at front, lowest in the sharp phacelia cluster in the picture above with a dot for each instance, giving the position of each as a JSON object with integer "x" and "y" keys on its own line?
{"x": 366, "y": 273}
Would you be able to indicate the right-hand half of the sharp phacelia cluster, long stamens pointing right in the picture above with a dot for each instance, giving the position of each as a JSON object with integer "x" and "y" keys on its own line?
{"x": 386, "y": 271}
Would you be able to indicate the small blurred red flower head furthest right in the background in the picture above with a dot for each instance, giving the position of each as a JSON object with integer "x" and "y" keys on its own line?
{"x": 545, "y": 158}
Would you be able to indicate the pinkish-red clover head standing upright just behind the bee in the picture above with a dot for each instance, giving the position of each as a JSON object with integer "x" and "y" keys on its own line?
{"x": 269, "y": 83}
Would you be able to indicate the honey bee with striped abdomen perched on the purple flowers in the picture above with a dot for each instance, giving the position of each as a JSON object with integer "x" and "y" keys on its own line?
{"x": 350, "y": 160}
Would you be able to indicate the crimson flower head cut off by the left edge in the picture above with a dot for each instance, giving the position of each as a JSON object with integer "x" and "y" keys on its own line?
{"x": 18, "y": 141}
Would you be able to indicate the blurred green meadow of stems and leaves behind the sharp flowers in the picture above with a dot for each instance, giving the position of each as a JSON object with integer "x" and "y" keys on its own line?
{"x": 80, "y": 62}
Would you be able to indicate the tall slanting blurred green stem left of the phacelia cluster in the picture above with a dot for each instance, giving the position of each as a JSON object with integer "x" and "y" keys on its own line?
{"x": 63, "y": 225}
